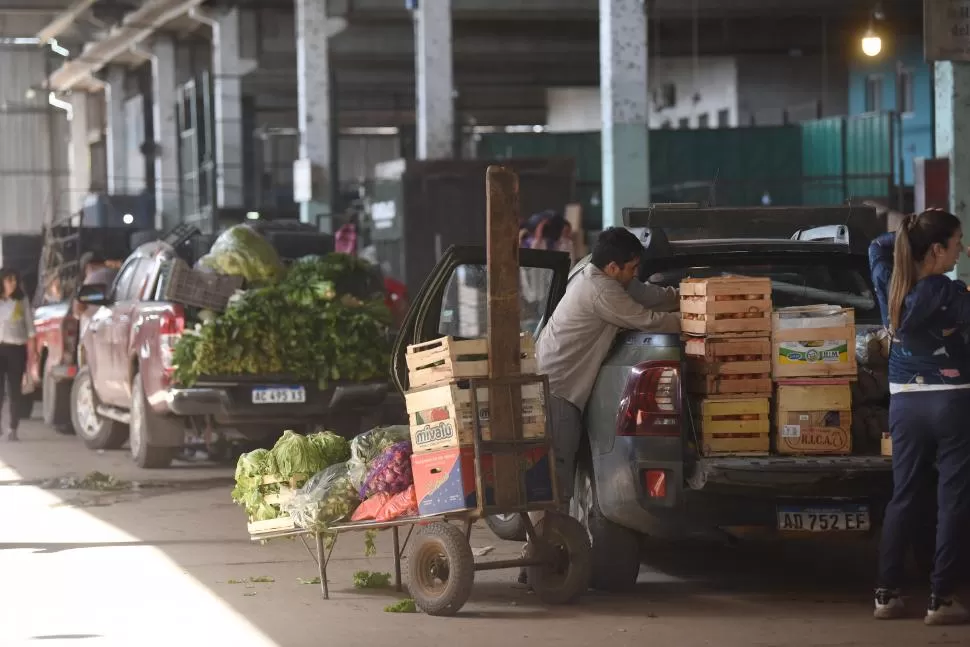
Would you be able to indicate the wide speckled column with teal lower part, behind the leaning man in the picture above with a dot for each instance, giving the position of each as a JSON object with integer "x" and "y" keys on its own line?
{"x": 623, "y": 97}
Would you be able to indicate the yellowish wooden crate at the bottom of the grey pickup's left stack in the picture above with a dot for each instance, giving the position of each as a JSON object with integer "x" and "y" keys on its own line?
{"x": 735, "y": 426}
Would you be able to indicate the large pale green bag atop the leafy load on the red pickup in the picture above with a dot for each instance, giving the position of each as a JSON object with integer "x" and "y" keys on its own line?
{"x": 242, "y": 251}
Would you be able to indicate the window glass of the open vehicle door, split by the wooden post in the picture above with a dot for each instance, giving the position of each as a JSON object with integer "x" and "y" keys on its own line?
{"x": 464, "y": 305}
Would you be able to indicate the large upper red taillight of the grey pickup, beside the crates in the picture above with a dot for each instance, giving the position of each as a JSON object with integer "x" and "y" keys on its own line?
{"x": 651, "y": 404}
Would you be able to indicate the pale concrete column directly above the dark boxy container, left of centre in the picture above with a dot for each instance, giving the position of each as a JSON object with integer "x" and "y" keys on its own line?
{"x": 435, "y": 80}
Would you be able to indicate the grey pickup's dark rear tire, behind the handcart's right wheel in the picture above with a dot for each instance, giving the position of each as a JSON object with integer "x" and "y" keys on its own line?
{"x": 615, "y": 552}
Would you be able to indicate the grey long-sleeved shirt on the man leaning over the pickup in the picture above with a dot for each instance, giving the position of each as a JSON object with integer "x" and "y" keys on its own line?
{"x": 578, "y": 337}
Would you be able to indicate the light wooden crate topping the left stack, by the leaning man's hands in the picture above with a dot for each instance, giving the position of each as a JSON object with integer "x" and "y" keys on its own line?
{"x": 726, "y": 305}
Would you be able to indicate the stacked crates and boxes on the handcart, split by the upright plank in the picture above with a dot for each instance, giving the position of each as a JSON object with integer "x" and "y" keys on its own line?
{"x": 441, "y": 418}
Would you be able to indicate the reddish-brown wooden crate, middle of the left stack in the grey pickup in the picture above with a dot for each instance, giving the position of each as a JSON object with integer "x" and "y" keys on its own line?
{"x": 724, "y": 366}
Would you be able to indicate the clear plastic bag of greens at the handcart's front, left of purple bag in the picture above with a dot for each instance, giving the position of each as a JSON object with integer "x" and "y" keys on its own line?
{"x": 325, "y": 499}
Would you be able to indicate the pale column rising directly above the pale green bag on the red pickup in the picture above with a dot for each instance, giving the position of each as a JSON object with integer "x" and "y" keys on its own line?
{"x": 228, "y": 69}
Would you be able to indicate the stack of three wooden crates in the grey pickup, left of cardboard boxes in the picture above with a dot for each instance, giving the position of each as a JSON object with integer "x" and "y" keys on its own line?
{"x": 726, "y": 323}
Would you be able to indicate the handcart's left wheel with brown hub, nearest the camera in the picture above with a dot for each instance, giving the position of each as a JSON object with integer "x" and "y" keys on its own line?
{"x": 441, "y": 569}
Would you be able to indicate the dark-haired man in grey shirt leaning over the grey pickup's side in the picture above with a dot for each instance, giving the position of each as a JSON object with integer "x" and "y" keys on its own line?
{"x": 603, "y": 299}
